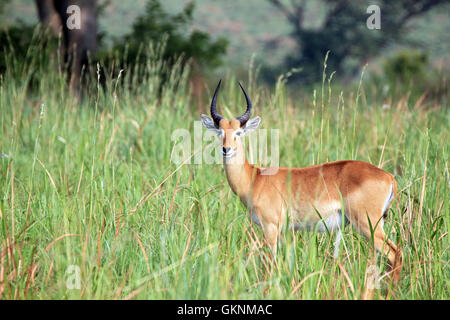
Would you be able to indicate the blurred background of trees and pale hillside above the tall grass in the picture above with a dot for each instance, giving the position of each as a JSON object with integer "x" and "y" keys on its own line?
{"x": 274, "y": 37}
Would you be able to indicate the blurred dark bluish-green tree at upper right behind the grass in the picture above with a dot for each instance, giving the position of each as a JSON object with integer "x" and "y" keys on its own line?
{"x": 344, "y": 33}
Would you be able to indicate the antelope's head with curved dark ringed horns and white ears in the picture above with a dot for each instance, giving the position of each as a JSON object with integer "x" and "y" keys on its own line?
{"x": 231, "y": 131}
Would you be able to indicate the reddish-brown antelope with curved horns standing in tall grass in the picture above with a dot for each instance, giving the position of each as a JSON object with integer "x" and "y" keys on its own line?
{"x": 323, "y": 197}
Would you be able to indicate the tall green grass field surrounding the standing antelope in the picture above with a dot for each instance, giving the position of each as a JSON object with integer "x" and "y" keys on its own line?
{"x": 88, "y": 188}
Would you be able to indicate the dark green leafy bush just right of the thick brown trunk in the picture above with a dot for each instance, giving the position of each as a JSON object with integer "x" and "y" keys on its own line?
{"x": 181, "y": 45}
